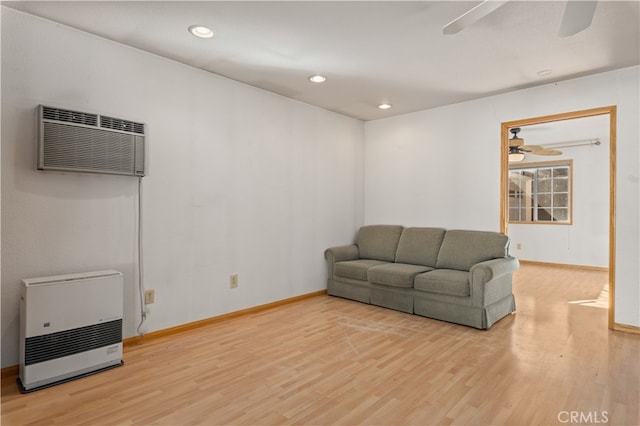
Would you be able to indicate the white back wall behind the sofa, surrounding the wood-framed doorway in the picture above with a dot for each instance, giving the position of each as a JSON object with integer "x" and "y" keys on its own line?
{"x": 441, "y": 167}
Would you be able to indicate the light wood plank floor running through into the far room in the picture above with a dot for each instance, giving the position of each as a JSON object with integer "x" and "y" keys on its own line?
{"x": 329, "y": 361}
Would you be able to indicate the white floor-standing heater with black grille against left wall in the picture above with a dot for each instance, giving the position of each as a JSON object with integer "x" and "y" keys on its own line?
{"x": 70, "y": 327}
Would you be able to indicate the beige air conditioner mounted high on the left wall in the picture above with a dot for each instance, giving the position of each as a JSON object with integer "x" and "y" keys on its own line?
{"x": 84, "y": 142}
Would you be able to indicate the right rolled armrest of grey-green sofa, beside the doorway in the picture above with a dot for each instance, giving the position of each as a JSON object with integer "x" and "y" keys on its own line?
{"x": 491, "y": 280}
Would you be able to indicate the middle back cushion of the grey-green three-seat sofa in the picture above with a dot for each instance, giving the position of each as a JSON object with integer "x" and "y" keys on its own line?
{"x": 420, "y": 246}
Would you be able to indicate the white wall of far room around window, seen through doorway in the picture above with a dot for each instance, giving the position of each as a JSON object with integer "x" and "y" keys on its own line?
{"x": 586, "y": 241}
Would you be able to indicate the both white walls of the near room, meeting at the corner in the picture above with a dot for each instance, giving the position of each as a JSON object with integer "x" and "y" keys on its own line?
{"x": 244, "y": 181}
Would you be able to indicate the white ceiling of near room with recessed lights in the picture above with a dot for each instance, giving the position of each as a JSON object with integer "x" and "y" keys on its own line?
{"x": 370, "y": 51}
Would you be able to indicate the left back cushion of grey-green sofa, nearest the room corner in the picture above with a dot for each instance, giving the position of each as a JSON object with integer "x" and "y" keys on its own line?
{"x": 378, "y": 242}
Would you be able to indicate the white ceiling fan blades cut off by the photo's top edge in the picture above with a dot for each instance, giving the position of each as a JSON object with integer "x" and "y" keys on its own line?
{"x": 577, "y": 16}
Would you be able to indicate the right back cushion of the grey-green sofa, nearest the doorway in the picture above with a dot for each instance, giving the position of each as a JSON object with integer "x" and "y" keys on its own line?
{"x": 461, "y": 250}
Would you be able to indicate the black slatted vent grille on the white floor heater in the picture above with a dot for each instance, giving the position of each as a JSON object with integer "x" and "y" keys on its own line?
{"x": 70, "y": 342}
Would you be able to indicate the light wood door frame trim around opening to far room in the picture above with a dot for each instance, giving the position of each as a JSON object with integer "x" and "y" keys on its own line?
{"x": 610, "y": 112}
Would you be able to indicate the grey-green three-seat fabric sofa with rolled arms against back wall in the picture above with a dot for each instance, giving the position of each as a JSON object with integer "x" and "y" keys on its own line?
{"x": 459, "y": 276}
